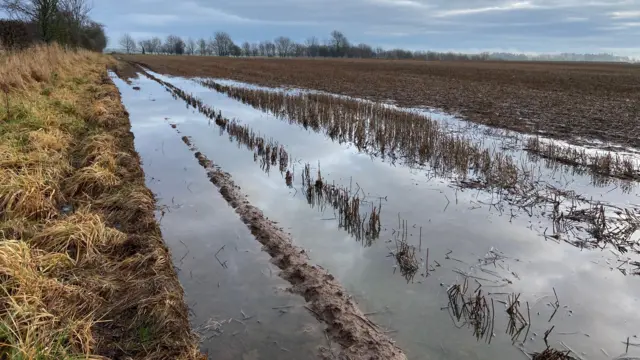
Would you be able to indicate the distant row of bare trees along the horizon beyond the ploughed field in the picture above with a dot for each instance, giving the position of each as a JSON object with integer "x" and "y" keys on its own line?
{"x": 221, "y": 44}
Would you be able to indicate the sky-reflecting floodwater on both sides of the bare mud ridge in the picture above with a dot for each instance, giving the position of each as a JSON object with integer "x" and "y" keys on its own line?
{"x": 597, "y": 312}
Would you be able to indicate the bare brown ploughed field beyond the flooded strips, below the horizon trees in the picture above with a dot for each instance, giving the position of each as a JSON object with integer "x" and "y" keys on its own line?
{"x": 563, "y": 100}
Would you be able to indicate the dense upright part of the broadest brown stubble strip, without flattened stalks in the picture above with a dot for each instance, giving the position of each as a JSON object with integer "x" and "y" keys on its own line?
{"x": 374, "y": 128}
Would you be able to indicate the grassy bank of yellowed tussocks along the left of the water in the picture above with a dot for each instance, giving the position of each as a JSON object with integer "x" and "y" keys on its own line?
{"x": 83, "y": 269}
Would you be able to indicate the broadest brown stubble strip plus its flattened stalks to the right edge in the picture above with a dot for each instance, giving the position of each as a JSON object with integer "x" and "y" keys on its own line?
{"x": 420, "y": 141}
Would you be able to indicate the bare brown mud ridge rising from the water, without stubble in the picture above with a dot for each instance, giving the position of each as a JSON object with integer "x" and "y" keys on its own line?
{"x": 347, "y": 325}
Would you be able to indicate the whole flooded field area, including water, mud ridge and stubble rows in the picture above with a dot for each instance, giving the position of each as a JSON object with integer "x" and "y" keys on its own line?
{"x": 392, "y": 231}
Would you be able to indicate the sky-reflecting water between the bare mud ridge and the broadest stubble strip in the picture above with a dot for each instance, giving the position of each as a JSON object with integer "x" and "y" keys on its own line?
{"x": 458, "y": 229}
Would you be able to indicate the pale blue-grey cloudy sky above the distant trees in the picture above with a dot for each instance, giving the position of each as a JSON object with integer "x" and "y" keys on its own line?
{"x": 460, "y": 25}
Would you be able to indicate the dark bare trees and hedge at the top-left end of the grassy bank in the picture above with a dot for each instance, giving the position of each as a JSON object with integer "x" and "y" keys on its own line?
{"x": 66, "y": 22}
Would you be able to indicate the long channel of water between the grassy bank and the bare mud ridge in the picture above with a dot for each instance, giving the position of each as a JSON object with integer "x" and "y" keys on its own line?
{"x": 242, "y": 309}
